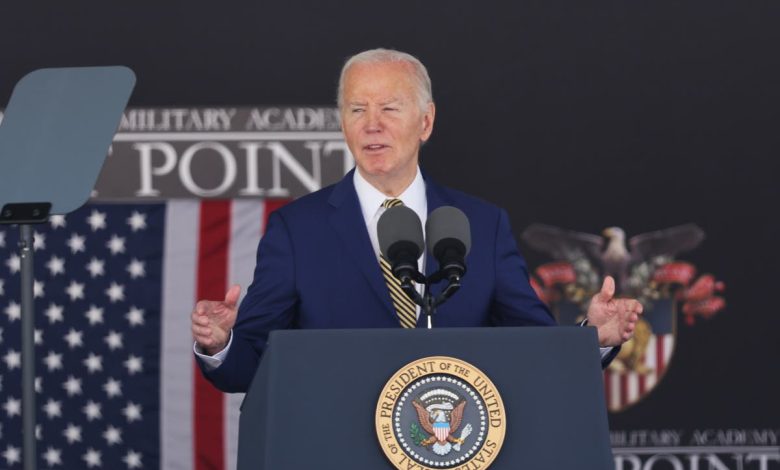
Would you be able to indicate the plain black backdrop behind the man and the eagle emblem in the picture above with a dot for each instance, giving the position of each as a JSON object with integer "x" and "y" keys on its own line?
{"x": 582, "y": 115}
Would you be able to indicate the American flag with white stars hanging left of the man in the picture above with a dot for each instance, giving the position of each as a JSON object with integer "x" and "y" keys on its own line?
{"x": 116, "y": 382}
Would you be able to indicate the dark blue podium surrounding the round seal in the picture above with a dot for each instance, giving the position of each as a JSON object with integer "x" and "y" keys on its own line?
{"x": 313, "y": 401}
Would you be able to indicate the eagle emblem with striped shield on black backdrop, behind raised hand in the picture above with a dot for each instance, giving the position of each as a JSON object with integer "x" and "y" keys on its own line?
{"x": 645, "y": 267}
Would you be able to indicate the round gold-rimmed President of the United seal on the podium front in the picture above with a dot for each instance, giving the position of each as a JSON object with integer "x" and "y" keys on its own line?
{"x": 440, "y": 412}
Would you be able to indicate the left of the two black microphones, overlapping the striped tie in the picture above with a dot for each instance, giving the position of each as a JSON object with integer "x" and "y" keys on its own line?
{"x": 401, "y": 241}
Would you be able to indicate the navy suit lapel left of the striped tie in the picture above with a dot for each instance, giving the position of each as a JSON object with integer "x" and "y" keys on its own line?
{"x": 347, "y": 221}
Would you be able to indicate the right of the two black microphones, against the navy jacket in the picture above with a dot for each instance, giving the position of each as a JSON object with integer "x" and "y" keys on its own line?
{"x": 449, "y": 240}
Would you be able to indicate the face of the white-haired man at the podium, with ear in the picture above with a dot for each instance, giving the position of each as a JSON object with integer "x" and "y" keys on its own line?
{"x": 383, "y": 123}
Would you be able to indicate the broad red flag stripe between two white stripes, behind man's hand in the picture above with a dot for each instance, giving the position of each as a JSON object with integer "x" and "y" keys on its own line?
{"x": 208, "y": 402}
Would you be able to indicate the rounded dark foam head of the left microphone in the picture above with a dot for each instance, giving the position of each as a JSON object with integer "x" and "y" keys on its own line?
{"x": 400, "y": 224}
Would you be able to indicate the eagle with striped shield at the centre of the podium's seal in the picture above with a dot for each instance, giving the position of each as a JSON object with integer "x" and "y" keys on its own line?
{"x": 440, "y": 413}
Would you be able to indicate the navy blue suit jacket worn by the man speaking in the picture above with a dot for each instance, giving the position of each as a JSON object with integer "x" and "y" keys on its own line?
{"x": 316, "y": 268}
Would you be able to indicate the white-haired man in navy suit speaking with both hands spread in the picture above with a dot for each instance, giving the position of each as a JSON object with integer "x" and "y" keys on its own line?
{"x": 318, "y": 262}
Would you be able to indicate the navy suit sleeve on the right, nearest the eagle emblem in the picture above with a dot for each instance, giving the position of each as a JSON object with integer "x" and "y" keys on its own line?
{"x": 515, "y": 303}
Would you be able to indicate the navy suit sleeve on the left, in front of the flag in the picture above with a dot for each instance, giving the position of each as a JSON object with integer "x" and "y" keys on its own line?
{"x": 270, "y": 304}
